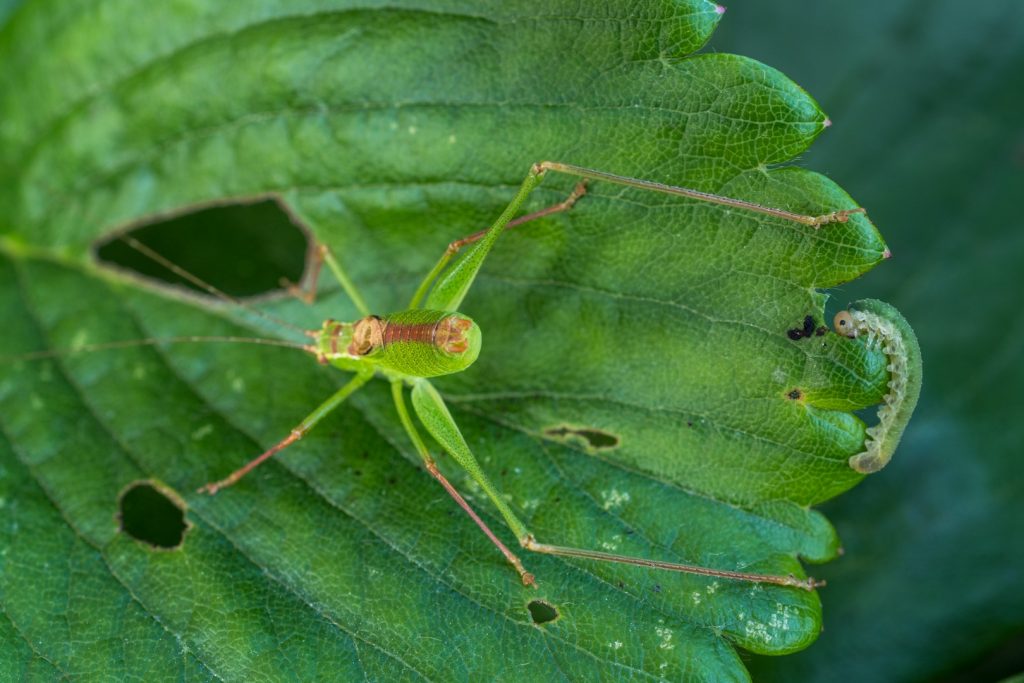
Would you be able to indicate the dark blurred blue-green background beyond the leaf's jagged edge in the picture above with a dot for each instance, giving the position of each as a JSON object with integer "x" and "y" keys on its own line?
{"x": 927, "y": 101}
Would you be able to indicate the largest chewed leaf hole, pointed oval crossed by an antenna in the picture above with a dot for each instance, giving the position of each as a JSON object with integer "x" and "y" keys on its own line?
{"x": 244, "y": 249}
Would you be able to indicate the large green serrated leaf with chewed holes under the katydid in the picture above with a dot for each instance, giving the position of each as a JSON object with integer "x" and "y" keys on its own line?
{"x": 657, "y": 324}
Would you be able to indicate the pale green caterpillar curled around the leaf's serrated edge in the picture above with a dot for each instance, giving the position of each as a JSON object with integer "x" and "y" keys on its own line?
{"x": 886, "y": 328}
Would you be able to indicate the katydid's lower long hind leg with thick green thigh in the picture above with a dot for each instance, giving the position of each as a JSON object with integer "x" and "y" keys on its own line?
{"x": 438, "y": 420}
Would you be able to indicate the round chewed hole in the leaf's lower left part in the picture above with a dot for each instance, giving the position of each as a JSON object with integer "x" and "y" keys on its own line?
{"x": 153, "y": 515}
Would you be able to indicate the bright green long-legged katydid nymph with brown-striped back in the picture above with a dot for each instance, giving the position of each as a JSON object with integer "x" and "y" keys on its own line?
{"x": 434, "y": 338}
